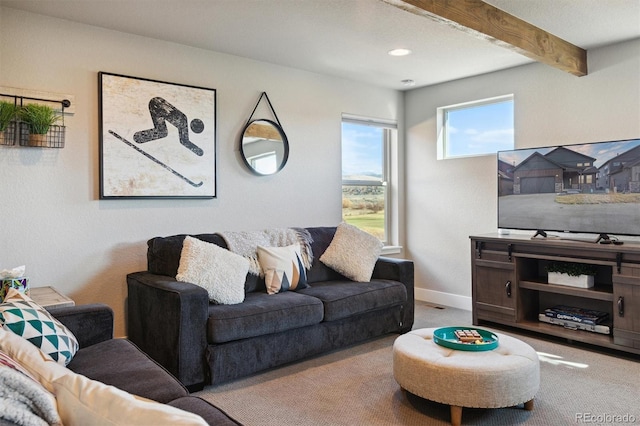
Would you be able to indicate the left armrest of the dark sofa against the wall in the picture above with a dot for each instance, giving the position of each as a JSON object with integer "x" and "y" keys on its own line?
{"x": 167, "y": 319}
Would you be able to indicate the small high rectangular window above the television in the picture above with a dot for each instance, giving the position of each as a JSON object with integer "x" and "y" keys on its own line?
{"x": 475, "y": 128}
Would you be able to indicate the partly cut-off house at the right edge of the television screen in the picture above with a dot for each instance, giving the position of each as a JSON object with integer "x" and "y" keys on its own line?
{"x": 621, "y": 173}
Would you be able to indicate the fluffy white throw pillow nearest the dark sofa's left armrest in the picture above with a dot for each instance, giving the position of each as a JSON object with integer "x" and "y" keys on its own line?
{"x": 213, "y": 268}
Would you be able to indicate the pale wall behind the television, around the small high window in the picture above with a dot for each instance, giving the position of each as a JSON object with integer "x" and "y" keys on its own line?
{"x": 449, "y": 200}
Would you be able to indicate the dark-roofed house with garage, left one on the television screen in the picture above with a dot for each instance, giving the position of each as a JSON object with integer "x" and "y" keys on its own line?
{"x": 559, "y": 170}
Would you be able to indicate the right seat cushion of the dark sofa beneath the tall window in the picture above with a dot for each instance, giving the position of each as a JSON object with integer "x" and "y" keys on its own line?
{"x": 342, "y": 299}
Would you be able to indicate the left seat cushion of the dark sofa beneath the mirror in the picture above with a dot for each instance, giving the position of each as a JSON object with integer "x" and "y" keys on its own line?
{"x": 261, "y": 314}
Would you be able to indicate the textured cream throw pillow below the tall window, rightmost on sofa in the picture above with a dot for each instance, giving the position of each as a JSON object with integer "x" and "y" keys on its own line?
{"x": 352, "y": 252}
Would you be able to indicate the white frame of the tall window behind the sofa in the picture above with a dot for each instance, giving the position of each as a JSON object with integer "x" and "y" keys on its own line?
{"x": 389, "y": 140}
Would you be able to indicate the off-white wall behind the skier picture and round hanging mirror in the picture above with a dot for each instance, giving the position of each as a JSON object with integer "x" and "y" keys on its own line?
{"x": 52, "y": 219}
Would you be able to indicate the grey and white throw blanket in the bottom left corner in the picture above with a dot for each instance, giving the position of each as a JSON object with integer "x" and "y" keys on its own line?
{"x": 23, "y": 401}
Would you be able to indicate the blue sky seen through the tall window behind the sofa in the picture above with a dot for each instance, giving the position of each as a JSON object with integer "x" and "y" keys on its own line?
{"x": 361, "y": 150}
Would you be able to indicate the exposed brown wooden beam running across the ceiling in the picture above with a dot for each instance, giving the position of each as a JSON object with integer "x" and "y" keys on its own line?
{"x": 487, "y": 22}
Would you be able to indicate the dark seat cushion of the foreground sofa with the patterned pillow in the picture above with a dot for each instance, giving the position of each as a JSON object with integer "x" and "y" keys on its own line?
{"x": 139, "y": 375}
